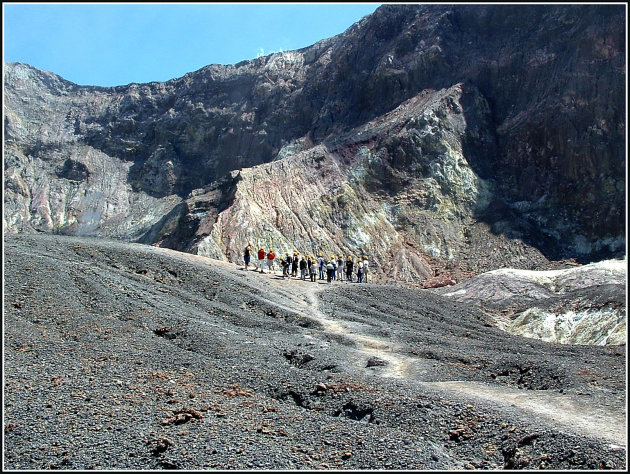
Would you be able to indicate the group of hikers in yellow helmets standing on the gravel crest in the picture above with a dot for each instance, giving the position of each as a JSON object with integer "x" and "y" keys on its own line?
{"x": 334, "y": 268}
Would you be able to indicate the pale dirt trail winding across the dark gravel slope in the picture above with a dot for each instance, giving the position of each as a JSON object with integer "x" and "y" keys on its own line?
{"x": 576, "y": 414}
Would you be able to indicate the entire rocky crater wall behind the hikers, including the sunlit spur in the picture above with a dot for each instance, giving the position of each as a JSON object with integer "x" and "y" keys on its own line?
{"x": 432, "y": 138}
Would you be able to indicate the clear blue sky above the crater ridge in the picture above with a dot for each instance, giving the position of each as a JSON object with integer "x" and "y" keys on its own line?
{"x": 109, "y": 44}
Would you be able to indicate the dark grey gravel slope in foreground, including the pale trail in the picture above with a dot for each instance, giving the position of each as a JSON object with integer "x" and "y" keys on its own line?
{"x": 121, "y": 356}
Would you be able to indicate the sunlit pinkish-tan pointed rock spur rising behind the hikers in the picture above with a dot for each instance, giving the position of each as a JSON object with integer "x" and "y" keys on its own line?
{"x": 397, "y": 189}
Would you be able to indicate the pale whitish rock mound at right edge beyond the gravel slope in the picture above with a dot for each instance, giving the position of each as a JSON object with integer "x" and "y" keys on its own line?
{"x": 582, "y": 305}
